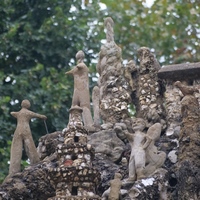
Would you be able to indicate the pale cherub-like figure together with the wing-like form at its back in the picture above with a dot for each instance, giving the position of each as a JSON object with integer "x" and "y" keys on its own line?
{"x": 144, "y": 158}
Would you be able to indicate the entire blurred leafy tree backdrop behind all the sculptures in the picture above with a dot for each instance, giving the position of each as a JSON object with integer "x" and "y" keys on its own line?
{"x": 39, "y": 41}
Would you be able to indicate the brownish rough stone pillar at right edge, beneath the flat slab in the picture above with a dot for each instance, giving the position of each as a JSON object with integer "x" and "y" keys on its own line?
{"x": 189, "y": 149}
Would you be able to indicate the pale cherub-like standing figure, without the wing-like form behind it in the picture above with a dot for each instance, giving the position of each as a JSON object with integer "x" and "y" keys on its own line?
{"x": 138, "y": 157}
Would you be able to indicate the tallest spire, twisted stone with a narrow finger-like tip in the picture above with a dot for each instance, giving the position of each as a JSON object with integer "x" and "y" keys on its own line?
{"x": 114, "y": 98}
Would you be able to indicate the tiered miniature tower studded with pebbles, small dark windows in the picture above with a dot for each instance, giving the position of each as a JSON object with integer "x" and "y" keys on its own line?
{"x": 74, "y": 174}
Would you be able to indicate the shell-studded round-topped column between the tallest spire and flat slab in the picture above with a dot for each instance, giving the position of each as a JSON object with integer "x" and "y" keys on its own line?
{"x": 150, "y": 105}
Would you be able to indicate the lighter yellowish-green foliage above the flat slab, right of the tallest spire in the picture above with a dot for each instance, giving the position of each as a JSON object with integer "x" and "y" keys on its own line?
{"x": 170, "y": 28}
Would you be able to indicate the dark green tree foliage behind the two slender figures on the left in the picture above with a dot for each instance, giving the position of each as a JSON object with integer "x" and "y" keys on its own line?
{"x": 39, "y": 41}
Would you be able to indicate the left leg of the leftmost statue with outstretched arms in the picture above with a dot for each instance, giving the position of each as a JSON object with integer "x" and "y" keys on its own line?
{"x": 16, "y": 154}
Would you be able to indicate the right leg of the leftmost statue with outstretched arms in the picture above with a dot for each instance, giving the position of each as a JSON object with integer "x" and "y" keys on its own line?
{"x": 31, "y": 150}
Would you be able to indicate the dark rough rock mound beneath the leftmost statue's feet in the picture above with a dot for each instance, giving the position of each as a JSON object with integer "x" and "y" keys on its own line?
{"x": 33, "y": 183}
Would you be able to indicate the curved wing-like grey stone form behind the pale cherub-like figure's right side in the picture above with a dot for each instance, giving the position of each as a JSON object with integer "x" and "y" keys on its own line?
{"x": 154, "y": 158}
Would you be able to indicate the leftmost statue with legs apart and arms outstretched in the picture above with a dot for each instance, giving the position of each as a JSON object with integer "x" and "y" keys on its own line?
{"x": 22, "y": 135}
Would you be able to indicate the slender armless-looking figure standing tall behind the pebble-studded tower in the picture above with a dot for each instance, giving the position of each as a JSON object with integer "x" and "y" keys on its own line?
{"x": 81, "y": 96}
